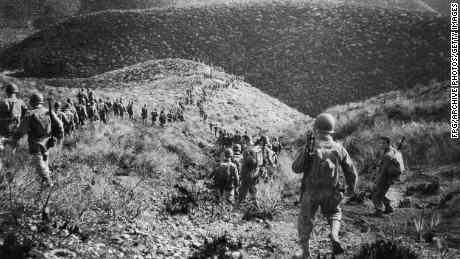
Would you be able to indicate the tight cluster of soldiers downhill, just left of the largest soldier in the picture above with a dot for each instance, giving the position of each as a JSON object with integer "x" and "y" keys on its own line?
{"x": 243, "y": 164}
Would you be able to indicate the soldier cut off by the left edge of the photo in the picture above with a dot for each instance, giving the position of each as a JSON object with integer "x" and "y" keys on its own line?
{"x": 12, "y": 110}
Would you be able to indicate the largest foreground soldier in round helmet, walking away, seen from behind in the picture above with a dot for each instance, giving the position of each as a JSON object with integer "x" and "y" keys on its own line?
{"x": 323, "y": 183}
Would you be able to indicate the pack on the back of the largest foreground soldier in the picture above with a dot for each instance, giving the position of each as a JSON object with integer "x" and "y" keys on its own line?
{"x": 323, "y": 173}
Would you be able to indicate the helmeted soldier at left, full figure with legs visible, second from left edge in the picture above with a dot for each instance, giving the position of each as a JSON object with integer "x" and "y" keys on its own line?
{"x": 42, "y": 127}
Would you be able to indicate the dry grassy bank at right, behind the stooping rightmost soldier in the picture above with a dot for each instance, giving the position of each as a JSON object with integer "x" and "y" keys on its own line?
{"x": 420, "y": 115}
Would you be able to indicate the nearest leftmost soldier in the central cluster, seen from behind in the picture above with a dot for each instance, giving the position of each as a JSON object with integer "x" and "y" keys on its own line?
{"x": 226, "y": 177}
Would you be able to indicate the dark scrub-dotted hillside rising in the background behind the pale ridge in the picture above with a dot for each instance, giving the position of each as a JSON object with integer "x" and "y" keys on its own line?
{"x": 289, "y": 51}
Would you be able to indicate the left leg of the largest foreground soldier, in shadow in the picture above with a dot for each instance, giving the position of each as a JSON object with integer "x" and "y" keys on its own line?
{"x": 305, "y": 222}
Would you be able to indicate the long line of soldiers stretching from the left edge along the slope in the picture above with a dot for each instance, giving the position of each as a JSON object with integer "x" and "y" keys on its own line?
{"x": 46, "y": 127}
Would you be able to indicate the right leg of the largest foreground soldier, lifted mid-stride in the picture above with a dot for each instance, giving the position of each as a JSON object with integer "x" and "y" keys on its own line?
{"x": 330, "y": 207}
